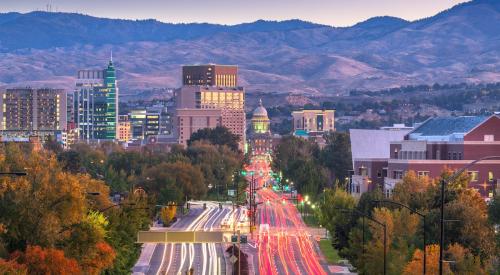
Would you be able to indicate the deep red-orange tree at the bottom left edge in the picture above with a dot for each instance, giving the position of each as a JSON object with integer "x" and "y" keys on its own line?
{"x": 43, "y": 261}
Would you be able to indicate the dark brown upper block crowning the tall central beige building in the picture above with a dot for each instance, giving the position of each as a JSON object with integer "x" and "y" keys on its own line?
{"x": 210, "y": 75}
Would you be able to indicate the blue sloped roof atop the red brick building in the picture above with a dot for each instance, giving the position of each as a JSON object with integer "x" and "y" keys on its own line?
{"x": 444, "y": 126}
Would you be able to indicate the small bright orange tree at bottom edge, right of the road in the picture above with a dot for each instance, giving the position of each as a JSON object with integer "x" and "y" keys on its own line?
{"x": 415, "y": 266}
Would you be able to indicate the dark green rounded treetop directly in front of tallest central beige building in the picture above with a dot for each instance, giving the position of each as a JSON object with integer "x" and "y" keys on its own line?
{"x": 217, "y": 136}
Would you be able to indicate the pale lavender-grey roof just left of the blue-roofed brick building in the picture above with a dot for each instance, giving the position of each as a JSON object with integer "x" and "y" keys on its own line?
{"x": 374, "y": 144}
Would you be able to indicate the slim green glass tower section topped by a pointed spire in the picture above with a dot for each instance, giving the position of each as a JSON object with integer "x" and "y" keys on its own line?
{"x": 111, "y": 100}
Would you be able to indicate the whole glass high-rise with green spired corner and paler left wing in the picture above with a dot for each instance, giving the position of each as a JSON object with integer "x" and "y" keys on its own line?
{"x": 96, "y": 104}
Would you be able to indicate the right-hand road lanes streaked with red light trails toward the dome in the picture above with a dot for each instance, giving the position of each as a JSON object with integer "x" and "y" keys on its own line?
{"x": 284, "y": 244}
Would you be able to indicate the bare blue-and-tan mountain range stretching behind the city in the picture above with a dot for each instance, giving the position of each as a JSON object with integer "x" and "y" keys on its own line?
{"x": 458, "y": 45}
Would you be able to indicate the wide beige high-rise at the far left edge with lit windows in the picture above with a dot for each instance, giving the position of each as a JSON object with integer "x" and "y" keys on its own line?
{"x": 29, "y": 111}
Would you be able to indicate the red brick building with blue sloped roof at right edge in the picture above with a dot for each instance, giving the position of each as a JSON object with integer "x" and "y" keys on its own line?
{"x": 449, "y": 142}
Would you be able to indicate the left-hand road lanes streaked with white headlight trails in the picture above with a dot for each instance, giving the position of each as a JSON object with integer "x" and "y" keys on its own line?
{"x": 203, "y": 258}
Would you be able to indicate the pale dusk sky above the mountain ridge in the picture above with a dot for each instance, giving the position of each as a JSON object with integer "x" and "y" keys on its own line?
{"x": 329, "y": 12}
